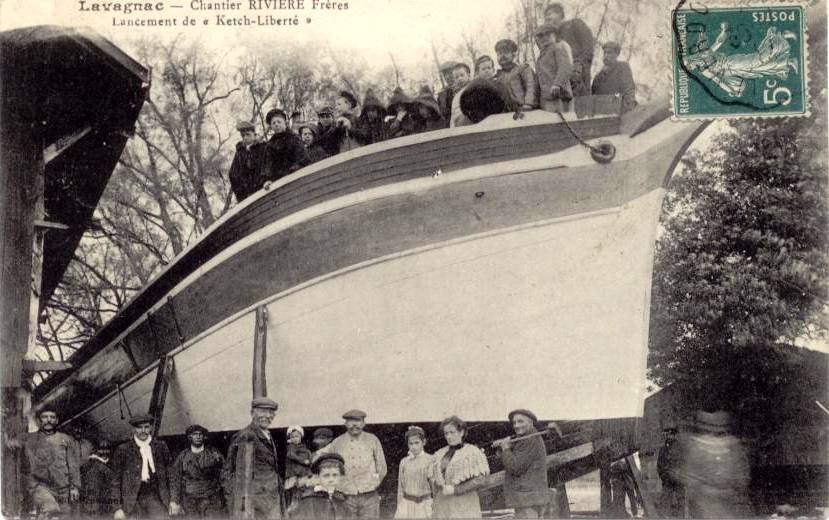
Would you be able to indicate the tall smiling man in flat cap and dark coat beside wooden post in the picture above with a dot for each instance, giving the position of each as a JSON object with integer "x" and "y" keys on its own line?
{"x": 264, "y": 499}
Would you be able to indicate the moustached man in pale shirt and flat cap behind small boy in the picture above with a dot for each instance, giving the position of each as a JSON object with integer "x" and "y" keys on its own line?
{"x": 365, "y": 466}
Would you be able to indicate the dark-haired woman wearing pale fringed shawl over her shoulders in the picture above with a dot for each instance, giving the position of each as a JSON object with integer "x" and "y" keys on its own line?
{"x": 457, "y": 472}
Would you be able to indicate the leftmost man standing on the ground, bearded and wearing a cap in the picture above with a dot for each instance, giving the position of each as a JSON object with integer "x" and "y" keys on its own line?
{"x": 53, "y": 478}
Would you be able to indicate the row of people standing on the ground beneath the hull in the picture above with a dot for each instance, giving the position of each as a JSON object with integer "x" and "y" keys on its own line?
{"x": 339, "y": 478}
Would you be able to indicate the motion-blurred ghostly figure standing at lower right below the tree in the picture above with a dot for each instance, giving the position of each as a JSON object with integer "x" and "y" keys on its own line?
{"x": 714, "y": 468}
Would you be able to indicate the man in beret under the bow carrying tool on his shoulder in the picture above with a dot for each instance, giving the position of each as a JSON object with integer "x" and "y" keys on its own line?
{"x": 525, "y": 467}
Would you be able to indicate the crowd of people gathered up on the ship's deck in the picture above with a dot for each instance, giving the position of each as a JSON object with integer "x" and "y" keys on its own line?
{"x": 562, "y": 74}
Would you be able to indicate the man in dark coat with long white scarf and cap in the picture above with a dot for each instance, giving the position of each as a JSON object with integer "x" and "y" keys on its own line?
{"x": 140, "y": 486}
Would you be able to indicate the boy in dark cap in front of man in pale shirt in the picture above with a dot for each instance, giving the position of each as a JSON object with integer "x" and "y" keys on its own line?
{"x": 324, "y": 501}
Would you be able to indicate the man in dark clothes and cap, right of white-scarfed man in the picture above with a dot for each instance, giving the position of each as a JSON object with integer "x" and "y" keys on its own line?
{"x": 195, "y": 478}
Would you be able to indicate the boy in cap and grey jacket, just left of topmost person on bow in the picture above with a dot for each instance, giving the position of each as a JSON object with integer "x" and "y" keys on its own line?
{"x": 555, "y": 67}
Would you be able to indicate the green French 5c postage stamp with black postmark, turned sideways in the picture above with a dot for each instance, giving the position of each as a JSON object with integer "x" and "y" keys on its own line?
{"x": 739, "y": 61}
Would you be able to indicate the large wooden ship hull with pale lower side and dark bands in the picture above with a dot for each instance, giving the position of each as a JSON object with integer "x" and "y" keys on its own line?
{"x": 466, "y": 271}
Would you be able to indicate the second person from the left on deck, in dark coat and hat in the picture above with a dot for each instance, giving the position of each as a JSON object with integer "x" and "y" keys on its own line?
{"x": 284, "y": 151}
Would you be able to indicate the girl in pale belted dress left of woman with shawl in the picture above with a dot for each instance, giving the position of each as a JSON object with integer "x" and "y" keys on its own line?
{"x": 414, "y": 494}
